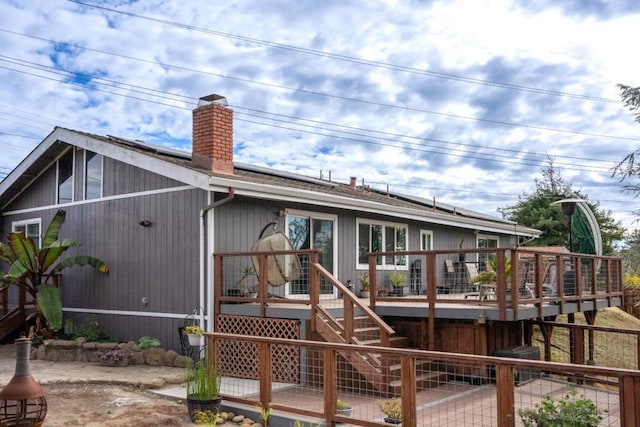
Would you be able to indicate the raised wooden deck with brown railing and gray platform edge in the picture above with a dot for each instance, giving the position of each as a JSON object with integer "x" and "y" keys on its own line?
{"x": 528, "y": 285}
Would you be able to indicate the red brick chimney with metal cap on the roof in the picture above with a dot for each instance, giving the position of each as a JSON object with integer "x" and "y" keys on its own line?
{"x": 213, "y": 135}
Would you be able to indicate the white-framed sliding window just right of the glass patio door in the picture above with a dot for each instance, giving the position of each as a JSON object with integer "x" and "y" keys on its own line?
{"x": 374, "y": 236}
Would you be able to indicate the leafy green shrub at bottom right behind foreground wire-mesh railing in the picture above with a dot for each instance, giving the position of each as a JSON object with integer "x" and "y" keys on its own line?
{"x": 568, "y": 411}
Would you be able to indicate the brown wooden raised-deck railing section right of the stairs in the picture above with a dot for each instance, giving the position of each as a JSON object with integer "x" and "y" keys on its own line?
{"x": 522, "y": 277}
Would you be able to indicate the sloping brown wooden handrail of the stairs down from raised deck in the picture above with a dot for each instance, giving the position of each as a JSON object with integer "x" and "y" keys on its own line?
{"x": 350, "y": 302}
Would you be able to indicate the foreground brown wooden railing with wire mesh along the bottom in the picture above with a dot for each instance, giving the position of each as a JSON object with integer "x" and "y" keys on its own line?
{"x": 492, "y": 394}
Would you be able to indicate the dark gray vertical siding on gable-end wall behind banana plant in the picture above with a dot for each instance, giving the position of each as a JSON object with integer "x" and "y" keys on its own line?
{"x": 160, "y": 262}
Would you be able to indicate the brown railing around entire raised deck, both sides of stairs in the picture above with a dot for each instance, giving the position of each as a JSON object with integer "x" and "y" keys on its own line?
{"x": 522, "y": 277}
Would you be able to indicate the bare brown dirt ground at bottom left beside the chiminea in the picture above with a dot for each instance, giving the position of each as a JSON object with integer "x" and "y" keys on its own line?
{"x": 106, "y": 405}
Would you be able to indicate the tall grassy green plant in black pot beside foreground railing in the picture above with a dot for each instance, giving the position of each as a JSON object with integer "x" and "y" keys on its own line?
{"x": 203, "y": 388}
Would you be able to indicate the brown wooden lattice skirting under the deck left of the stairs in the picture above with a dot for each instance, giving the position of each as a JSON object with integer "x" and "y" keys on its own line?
{"x": 241, "y": 359}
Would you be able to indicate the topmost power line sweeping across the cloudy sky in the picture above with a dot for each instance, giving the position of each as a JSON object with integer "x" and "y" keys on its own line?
{"x": 378, "y": 64}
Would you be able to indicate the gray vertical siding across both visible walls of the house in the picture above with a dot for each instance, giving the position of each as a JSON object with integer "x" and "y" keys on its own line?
{"x": 161, "y": 262}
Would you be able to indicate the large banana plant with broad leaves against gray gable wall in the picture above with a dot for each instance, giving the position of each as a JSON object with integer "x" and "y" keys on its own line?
{"x": 31, "y": 267}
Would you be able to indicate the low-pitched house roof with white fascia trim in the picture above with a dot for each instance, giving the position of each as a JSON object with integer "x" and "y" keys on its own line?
{"x": 250, "y": 180}
